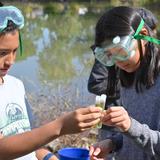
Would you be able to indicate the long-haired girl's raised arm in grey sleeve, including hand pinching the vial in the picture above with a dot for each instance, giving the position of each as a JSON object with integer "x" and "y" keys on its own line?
{"x": 141, "y": 134}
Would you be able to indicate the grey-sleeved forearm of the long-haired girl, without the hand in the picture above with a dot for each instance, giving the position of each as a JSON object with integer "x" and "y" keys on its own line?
{"x": 147, "y": 139}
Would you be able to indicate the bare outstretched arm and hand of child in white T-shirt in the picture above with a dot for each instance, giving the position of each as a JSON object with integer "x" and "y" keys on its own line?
{"x": 79, "y": 120}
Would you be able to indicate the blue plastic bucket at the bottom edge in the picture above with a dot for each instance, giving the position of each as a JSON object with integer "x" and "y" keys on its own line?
{"x": 73, "y": 154}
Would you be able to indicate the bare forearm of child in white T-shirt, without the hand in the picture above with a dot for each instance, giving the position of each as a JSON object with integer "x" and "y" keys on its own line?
{"x": 22, "y": 144}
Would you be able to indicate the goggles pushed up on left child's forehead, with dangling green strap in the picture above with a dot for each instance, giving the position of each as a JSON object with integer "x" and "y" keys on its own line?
{"x": 13, "y": 14}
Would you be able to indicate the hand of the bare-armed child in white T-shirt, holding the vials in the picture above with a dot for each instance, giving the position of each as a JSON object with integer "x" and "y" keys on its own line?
{"x": 80, "y": 119}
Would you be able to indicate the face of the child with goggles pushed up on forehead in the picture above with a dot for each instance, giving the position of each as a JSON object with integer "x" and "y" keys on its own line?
{"x": 9, "y": 43}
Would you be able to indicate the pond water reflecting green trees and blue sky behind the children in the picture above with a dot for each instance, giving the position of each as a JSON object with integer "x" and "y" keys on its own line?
{"x": 57, "y": 58}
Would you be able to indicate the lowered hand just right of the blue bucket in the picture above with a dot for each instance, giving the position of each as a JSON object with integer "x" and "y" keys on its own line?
{"x": 100, "y": 150}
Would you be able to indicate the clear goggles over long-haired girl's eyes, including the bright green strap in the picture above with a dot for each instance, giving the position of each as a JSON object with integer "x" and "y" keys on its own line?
{"x": 121, "y": 48}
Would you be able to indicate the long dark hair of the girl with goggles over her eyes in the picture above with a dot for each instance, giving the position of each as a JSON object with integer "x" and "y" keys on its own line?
{"x": 122, "y": 21}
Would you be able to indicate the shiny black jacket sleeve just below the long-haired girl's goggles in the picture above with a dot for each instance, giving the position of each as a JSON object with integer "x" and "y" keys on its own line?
{"x": 97, "y": 82}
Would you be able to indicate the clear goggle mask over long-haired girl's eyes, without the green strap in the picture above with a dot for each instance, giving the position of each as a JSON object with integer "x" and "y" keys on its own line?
{"x": 119, "y": 49}
